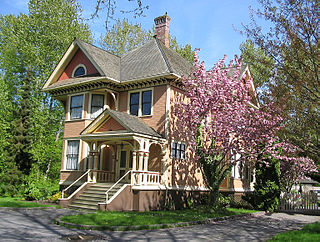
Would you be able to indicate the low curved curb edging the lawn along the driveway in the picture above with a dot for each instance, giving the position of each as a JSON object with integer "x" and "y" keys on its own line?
{"x": 148, "y": 227}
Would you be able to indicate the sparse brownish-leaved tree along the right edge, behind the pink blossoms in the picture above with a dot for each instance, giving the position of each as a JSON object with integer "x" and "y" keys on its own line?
{"x": 293, "y": 46}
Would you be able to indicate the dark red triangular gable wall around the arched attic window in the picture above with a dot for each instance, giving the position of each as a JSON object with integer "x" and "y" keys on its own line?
{"x": 78, "y": 58}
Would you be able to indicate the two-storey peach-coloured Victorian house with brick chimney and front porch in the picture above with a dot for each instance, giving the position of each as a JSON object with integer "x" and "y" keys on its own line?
{"x": 121, "y": 150}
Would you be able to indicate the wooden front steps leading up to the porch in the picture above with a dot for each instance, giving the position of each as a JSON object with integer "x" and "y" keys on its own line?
{"x": 95, "y": 194}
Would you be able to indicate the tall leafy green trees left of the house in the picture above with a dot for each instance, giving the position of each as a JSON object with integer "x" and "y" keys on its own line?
{"x": 31, "y": 45}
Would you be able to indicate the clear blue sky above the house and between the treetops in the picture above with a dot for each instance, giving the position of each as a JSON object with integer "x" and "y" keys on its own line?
{"x": 211, "y": 25}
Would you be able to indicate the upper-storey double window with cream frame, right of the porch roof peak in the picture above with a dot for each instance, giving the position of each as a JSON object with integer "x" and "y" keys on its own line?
{"x": 140, "y": 103}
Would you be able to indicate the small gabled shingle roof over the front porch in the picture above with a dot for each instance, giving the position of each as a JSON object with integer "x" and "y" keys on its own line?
{"x": 131, "y": 123}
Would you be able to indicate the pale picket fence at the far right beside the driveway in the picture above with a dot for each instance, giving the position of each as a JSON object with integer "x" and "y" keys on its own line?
{"x": 304, "y": 202}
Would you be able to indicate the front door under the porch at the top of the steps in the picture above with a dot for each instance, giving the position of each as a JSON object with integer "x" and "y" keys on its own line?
{"x": 125, "y": 163}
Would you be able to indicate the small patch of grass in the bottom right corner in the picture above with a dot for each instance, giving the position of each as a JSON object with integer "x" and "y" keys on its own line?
{"x": 309, "y": 232}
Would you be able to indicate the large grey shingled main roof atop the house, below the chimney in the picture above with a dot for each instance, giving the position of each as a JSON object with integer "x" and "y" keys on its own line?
{"x": 153, "y": 59}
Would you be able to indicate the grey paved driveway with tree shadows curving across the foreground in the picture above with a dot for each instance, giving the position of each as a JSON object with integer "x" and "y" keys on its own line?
{"x": 36, "y": 225}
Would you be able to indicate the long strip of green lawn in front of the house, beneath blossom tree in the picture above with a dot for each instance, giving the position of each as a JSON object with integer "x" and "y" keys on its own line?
{"x": 106, "y": 219}
